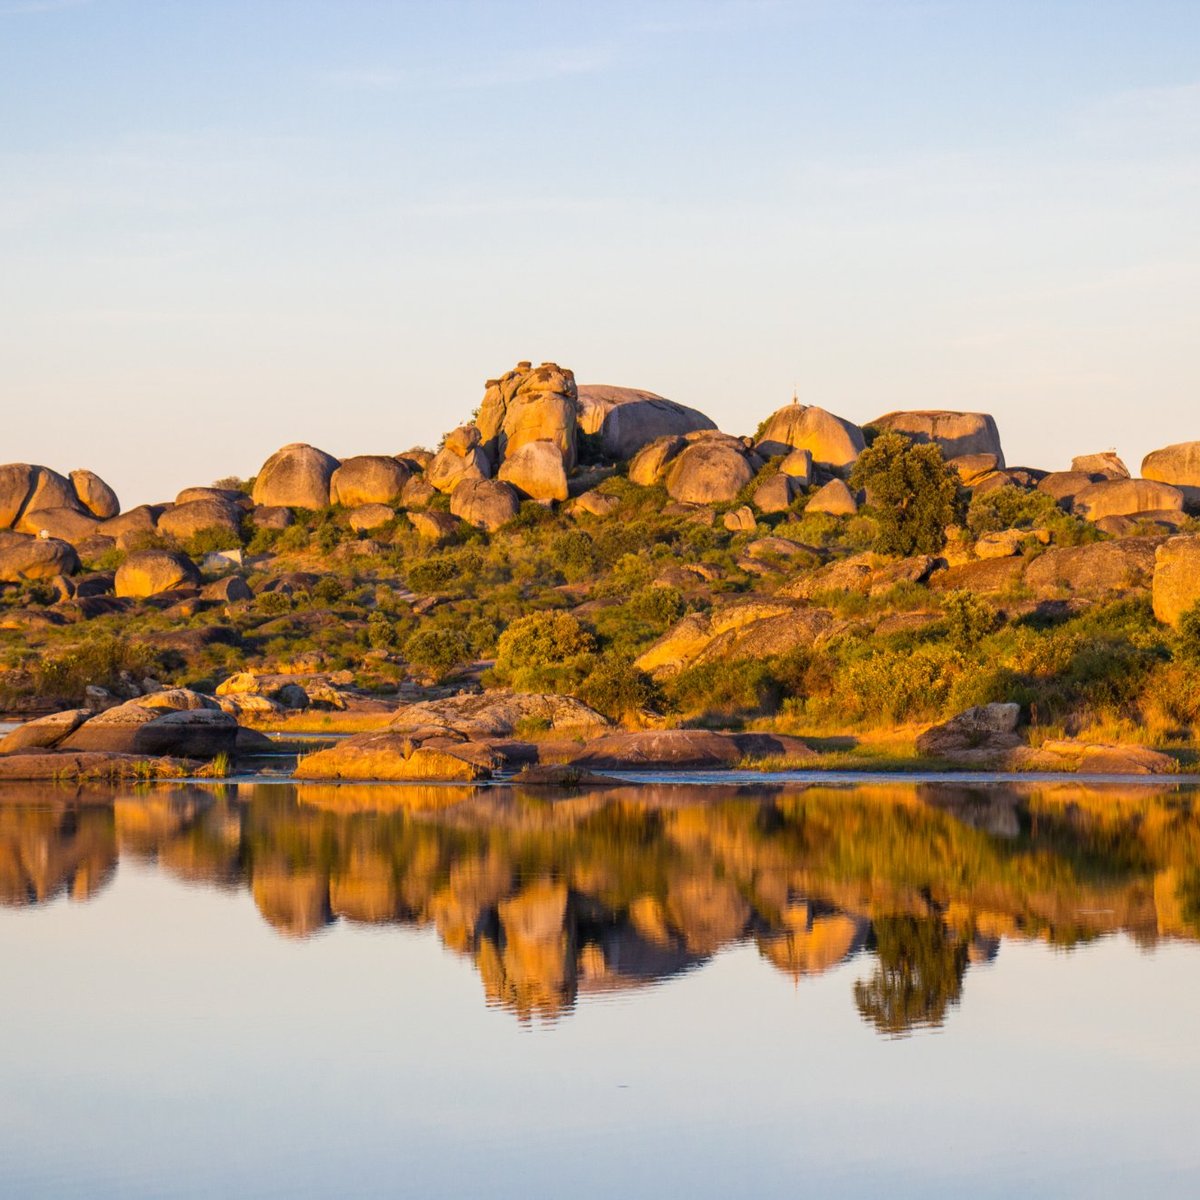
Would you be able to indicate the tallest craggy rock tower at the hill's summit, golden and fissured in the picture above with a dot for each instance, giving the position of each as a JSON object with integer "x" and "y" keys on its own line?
{"x": 531, "y": 405}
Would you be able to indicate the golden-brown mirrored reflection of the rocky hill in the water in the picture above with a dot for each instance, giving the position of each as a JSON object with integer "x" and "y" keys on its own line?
{"x": 619, "y": 889}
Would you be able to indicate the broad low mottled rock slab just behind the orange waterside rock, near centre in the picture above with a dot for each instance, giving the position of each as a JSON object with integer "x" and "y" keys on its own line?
{"x": 499, "y": 715}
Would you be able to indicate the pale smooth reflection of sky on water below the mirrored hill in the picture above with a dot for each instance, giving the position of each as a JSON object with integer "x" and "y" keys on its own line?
{"x": 161, "y": 1040}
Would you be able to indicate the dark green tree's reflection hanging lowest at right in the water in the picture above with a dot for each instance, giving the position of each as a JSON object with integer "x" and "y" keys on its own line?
{"x": 920, "y": 975}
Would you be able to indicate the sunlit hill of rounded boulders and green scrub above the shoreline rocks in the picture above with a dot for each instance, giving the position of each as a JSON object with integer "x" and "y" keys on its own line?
{"x": 611, "y": 545}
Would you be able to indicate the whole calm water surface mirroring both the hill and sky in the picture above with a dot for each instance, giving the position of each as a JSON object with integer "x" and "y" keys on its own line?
{"x": 275, "y": 991}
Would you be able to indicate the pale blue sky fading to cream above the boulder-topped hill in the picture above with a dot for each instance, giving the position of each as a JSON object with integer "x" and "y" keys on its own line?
{"x": 230, "y": 226}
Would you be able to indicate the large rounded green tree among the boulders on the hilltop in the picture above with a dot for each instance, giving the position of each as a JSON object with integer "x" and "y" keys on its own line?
{"x": 916, "y": 496}
